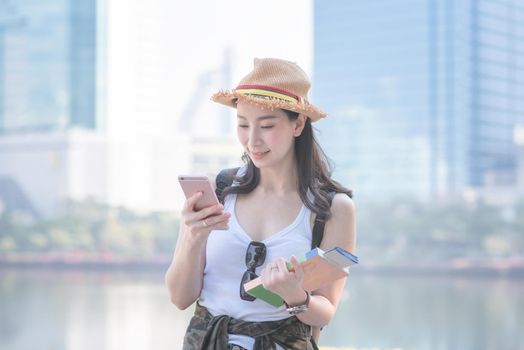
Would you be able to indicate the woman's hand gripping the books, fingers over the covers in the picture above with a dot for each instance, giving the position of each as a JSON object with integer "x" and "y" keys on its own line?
{"x": 287, "y": 284}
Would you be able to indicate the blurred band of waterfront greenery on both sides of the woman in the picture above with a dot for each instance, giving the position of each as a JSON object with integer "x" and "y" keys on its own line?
{"x": 401, "y": 229}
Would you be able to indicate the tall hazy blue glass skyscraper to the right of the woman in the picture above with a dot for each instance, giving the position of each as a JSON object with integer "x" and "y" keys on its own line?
{"x": 423, "y": 96}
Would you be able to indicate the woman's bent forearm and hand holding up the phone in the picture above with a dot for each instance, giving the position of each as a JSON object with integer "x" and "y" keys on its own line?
{"x": 184, "y": 276}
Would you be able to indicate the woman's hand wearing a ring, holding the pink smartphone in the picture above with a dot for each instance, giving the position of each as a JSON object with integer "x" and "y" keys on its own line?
{"x": 201, "y": 223}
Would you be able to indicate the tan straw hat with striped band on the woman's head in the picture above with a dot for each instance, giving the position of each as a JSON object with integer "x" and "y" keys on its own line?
{"x": 273, "y": 83}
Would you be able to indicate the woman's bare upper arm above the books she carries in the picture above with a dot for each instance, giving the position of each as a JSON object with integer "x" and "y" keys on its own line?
{"x": 340, "y": 228}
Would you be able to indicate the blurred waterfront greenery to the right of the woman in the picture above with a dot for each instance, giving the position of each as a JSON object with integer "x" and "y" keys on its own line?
{"x": 405, "y": 229}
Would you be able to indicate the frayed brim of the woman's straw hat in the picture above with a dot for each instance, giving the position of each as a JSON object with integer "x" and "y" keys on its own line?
{"x": 230, "y": 99}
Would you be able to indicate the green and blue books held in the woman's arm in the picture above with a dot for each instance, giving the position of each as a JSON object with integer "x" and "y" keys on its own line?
{"x": 320, "y": 268}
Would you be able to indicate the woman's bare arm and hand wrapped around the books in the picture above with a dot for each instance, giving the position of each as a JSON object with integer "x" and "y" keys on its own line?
{"x": 339, "y": 231}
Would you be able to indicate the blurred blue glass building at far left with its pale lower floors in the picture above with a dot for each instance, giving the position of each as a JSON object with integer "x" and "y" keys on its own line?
{"x": 51, "y": 144}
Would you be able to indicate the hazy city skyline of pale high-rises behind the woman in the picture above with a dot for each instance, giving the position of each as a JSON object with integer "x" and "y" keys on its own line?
{"x": 416, "y": 110}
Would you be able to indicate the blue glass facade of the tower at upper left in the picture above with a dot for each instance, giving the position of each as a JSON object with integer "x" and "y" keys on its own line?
{"x": 48, "y": 66}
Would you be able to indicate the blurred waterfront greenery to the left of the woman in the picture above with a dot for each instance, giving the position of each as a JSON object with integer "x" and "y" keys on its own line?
{"x": 93, "y": 228}
